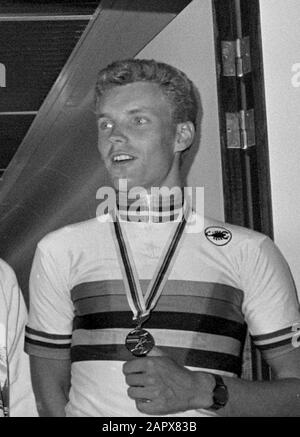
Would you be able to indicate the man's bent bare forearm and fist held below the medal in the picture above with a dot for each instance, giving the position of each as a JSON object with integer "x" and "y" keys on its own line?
{"x": 171, "y": 388}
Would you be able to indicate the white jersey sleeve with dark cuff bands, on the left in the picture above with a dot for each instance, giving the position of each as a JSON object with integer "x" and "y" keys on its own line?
{"x": 49, "y": 329}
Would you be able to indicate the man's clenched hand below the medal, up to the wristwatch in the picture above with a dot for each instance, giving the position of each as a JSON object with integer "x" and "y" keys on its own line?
{"x": 160, "y": 386}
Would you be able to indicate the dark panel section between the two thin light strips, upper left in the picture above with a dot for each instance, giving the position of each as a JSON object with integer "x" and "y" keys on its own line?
{"x": 34, "y": 53}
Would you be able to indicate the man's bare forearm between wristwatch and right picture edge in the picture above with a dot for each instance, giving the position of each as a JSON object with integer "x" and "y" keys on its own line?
{"x": 266, "y": 398}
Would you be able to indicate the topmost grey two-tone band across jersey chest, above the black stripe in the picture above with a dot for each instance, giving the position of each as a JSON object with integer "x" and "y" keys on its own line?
{"x": 202, "y": 298}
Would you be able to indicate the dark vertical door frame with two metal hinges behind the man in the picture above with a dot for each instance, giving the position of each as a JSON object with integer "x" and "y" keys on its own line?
{"x": 246, "y": 173}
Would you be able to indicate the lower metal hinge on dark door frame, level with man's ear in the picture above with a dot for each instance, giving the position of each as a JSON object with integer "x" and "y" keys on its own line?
{"x": 240, "y": 129}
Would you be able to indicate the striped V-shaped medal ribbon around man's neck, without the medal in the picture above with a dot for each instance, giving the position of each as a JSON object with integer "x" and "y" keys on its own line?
{"x": 140, "y": 305}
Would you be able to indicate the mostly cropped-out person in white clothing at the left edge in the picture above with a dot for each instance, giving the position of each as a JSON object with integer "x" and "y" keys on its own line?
{"x": 16, "y": 394}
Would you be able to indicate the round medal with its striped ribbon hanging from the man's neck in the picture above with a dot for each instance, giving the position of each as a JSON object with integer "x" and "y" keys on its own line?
{"x": 139, "y": 341}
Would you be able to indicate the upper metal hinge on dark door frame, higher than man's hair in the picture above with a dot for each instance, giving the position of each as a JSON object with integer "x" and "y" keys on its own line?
{"x": 236, "y": 57}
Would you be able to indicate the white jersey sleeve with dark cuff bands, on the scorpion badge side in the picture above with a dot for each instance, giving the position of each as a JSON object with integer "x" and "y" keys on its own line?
{"x": 271, "y": 305}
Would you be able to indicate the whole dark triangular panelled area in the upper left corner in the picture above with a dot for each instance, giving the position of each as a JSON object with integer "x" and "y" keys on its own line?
{"x": 37, "y": 38}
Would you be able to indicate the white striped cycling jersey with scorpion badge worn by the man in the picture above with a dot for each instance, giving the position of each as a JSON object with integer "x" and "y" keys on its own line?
{"x": 224, "y": 279}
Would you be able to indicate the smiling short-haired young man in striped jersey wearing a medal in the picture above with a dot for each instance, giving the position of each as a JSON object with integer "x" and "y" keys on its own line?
{"x": 139, "y": 311}
